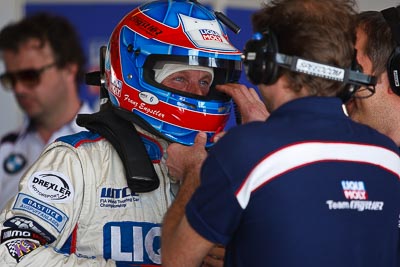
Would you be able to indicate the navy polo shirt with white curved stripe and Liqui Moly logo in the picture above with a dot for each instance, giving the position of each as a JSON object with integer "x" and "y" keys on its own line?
{"x": 308, "y": 187}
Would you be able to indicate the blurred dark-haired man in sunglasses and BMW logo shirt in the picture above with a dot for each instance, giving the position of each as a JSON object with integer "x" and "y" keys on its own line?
{"x": 44, "y": 64}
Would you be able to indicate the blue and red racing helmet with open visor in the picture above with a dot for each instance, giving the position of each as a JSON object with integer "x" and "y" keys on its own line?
{"x": 177, "y": 31}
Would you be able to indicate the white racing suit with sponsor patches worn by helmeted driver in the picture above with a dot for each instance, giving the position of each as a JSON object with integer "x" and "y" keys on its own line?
{"x": 74, "y": 208}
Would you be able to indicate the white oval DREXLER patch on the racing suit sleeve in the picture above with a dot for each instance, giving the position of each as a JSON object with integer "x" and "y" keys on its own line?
{"x": 51, "y": 187}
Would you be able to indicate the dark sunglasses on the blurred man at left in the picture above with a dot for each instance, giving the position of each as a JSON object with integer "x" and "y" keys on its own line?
{"x": 28, "y": 77}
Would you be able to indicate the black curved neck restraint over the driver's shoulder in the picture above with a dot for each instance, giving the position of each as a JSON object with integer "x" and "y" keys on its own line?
{"x": 140, "y": 174}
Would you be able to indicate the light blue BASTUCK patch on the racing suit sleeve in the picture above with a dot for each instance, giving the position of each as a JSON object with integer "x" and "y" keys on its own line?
{"x": 49, "y": 214}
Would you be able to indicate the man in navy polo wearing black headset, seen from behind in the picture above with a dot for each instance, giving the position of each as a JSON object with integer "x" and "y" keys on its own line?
{"x": 308, "y": 186}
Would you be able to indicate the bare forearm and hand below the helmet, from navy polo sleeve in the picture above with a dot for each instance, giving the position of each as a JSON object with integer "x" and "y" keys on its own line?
{"x": 184, "y": 163}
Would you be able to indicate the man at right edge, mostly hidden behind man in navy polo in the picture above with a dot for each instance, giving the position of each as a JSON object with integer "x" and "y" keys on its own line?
{"x": 378, "y": 47}
